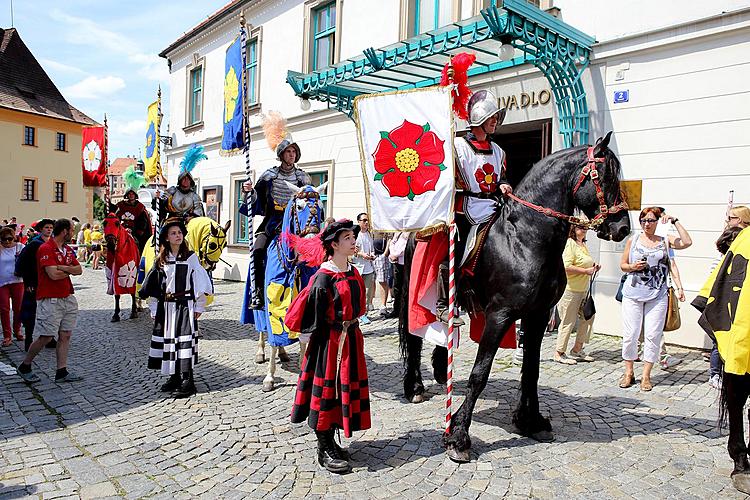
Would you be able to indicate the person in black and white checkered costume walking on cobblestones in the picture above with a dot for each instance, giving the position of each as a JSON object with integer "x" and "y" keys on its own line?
{"x": 177, "y": 285}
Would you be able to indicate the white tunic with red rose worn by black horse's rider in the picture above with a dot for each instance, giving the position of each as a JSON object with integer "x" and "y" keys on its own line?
{"x": 480, "y": 167}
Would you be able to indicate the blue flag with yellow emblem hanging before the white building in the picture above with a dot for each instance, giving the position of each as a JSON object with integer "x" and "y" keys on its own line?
{"x": 233, "y": 139}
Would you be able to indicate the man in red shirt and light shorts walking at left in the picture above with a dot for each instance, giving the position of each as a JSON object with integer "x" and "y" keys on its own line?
{"x": 57, "y": 308}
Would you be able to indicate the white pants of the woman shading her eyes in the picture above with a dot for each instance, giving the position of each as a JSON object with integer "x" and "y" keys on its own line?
{"x": 651, "y": 315}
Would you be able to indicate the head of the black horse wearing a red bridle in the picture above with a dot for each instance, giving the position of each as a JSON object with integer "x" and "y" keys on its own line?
{"x": 596, "y": 190}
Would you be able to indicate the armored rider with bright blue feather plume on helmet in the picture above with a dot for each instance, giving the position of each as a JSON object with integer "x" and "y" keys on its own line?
{"x": 182, "y": 200}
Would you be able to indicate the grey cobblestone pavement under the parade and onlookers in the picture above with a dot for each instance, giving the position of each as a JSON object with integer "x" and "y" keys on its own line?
{"x": 116, "y": 435}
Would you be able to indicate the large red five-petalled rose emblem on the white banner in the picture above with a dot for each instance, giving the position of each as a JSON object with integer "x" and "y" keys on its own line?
{"x": 409, "y": 159}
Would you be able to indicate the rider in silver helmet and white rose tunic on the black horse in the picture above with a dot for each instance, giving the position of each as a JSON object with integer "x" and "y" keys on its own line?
{"x": 480, "y": 180}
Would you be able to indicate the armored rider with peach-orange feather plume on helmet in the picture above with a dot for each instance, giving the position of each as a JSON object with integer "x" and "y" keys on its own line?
{"x": 270, "y": 195}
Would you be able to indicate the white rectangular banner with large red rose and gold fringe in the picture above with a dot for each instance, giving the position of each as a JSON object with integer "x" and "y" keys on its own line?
{"x": 406, "y": 145}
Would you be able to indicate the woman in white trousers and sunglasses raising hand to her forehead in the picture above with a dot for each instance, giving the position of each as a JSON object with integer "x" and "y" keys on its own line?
{"x": 648, "y": 262}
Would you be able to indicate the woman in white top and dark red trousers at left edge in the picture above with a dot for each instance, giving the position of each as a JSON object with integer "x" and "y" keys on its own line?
{"x": 11, "y": 286}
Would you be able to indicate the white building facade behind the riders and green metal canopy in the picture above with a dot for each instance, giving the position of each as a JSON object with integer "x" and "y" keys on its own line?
{"x": 684, "y": 130}
